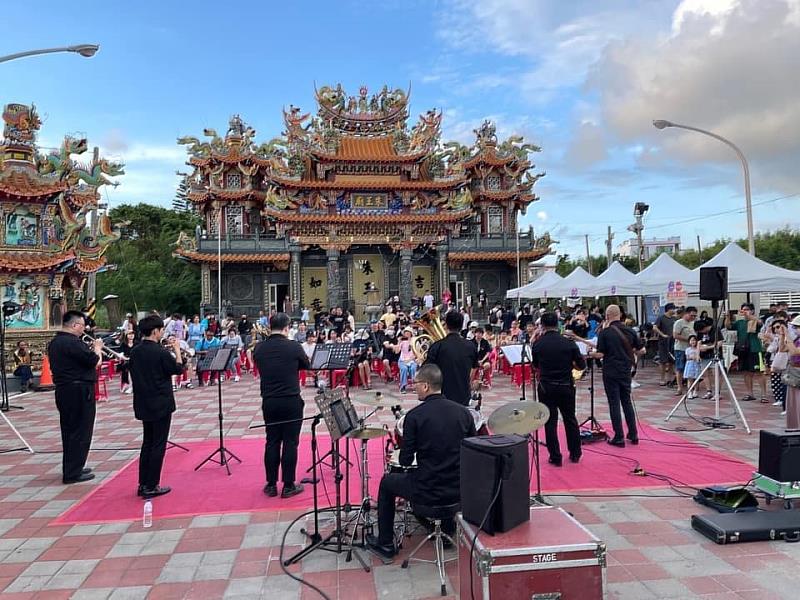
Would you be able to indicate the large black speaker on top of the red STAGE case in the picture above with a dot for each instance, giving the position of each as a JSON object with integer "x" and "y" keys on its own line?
{"x": 486, "y": 461}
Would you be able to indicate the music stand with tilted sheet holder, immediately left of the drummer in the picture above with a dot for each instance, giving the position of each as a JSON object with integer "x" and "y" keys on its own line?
{"x": 340, "y": 417}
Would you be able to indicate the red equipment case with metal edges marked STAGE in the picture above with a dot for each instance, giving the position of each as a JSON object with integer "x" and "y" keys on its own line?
{"x": 549, "y": 557}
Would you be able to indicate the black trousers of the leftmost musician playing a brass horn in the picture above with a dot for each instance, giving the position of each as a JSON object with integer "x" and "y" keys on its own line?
{"x": 76, "y": 411}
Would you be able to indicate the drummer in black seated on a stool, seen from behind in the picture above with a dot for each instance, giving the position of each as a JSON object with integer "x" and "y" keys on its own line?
{"x": 432, "y": 431}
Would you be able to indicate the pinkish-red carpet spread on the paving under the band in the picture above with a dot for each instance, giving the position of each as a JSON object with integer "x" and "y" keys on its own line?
{"x": 211, "y": 491}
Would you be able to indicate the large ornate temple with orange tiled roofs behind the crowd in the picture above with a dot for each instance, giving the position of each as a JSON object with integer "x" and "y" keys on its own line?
{"x": 353, "y": 200}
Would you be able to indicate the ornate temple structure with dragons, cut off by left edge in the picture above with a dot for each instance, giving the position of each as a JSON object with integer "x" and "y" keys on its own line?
{"x": 48, "y": 245}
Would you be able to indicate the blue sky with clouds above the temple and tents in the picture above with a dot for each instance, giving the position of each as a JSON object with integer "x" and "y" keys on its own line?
{"x": 582, "y": 79}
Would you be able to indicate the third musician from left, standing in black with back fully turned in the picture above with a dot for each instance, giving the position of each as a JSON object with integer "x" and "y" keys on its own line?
{"x": 279, "y": 361}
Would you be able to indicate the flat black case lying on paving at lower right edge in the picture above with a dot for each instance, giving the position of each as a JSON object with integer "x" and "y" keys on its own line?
{"x": 730, "y": 528}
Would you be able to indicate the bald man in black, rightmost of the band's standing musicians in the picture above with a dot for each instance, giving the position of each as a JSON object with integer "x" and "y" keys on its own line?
{"x": 618, "y": 345}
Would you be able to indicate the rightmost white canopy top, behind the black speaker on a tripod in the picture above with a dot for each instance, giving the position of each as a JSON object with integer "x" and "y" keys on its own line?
{"x": 746, "y": 273}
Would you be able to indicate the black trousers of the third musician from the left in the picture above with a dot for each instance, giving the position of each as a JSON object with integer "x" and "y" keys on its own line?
{"x": 282, "y": 440}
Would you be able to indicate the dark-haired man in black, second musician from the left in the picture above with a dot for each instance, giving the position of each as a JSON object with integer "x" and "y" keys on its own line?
{"x": 151, "y": 368}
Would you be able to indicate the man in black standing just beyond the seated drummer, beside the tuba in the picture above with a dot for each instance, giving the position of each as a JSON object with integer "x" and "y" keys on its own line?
{"x": 457, "y": 358}
